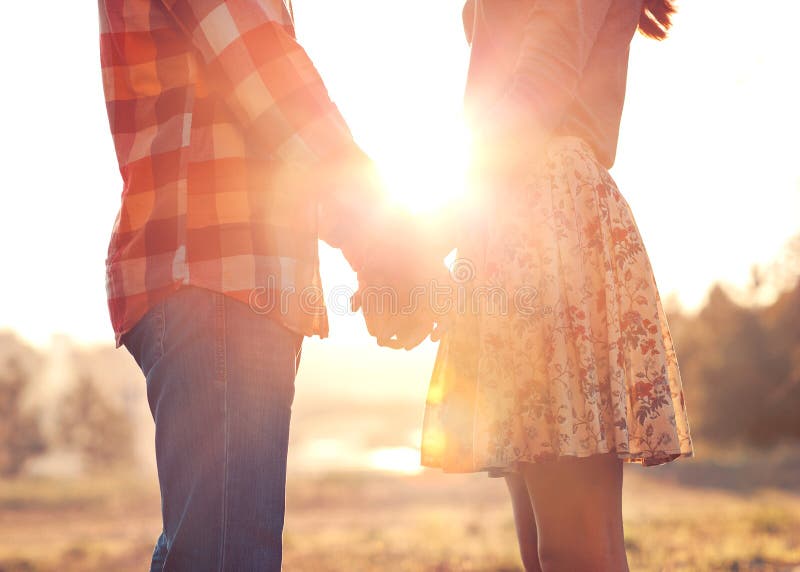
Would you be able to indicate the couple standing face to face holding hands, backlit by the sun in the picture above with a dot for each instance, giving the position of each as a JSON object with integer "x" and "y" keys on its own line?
{"x": 235, "y": 162}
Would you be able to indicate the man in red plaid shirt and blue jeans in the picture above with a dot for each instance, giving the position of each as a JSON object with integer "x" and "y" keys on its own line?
{"x": 234, "y": 162}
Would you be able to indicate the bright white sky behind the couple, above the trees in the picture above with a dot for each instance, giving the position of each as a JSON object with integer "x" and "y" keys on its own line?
{"x": 708, "y": 157}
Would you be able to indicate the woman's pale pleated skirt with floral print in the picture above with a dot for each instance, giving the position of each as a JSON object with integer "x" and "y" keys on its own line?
{"x": 559, "y": 345}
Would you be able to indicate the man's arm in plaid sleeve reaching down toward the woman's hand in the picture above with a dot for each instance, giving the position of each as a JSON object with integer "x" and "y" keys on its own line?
{"x": 267, "y": 79}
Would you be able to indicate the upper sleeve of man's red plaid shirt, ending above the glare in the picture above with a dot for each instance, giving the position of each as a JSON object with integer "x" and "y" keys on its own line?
{"x": 265, "y": 76}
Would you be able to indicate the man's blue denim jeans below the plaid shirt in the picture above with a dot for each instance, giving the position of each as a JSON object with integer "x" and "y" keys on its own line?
{"x": 220, "y": 384}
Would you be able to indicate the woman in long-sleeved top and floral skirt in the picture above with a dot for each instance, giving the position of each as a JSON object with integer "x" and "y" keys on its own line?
{"x": 576, "y": 374}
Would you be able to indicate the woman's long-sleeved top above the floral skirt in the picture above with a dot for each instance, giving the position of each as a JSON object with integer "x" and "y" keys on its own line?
{"x": 572, "y": 76}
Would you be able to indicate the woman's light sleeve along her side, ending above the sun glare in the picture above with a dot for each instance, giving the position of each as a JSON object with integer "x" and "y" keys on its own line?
{"x": 558, "y": 39}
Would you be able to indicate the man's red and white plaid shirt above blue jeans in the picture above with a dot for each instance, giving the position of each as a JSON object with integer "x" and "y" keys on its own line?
{"x": 220, "y": 123}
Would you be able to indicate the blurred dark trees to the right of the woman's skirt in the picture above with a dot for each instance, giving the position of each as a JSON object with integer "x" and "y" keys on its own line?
{"x": 740, "y": 361}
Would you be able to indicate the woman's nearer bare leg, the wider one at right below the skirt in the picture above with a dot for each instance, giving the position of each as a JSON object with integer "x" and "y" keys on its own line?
{"x": 578, "y": 508}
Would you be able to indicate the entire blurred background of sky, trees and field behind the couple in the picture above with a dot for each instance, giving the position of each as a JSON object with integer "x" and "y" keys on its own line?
{"x": 709, "y": 159}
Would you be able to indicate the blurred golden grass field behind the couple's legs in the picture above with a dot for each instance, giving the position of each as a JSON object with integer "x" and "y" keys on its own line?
{"x": 695, "y": 517}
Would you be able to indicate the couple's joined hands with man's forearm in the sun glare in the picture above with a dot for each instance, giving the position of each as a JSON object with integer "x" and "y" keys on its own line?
{"x": 399, "y": 258}
